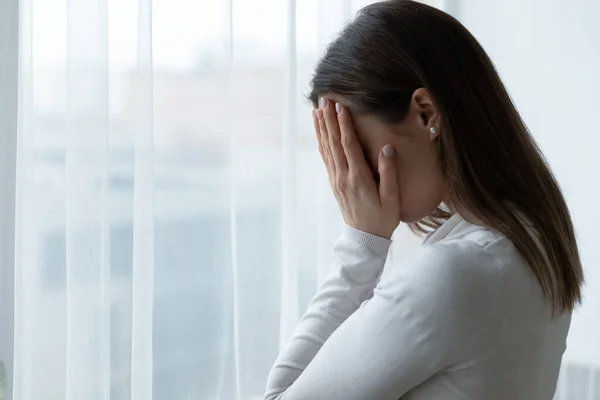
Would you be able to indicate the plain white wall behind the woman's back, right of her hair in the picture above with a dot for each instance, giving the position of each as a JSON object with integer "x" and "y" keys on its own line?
{"x": 548, "y": 54}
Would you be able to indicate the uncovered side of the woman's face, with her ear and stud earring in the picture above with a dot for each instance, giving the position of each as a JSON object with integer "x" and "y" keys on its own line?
{"x": 420, "y": 179}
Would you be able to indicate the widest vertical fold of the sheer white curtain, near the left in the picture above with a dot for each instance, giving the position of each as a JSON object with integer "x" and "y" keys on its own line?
{"x": 87, "y": 275}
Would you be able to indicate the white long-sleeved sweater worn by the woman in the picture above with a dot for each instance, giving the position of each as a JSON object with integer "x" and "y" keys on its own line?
{"x": 461, "y": 318}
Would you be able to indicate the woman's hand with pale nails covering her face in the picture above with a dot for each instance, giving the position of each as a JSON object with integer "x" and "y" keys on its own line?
{"x": 364, "y": 205}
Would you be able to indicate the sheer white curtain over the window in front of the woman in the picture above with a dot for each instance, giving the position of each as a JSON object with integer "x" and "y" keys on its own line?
{"x": 170, "y": 218}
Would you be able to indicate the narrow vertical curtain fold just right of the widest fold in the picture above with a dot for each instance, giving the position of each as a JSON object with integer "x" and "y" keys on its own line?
{"x": 143, "y": 214}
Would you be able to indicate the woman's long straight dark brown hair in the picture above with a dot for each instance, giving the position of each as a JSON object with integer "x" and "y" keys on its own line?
{"x": 494, "y": 171}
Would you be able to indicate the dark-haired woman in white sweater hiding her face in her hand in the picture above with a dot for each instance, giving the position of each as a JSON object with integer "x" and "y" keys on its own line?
{"x": 410, "y": 115}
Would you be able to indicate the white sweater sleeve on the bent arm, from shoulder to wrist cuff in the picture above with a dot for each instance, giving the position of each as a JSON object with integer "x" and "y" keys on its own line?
{"x": 439, "y": 310}
